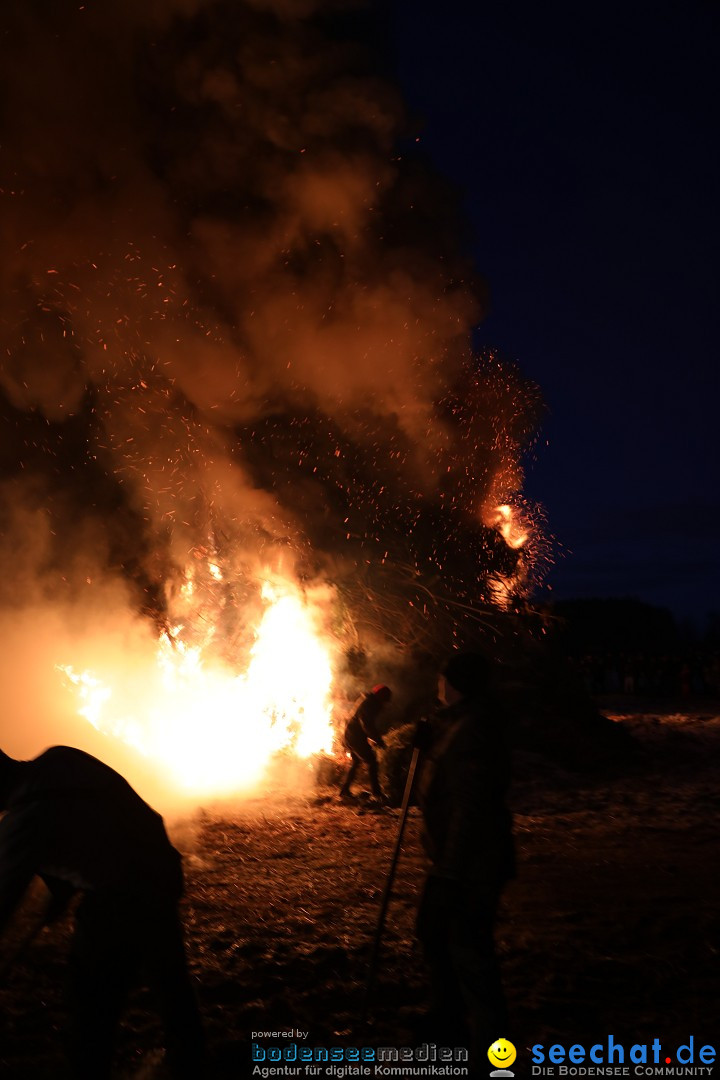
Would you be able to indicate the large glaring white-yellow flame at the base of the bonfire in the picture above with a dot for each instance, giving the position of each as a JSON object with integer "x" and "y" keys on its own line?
{"x": 214, "y": 732}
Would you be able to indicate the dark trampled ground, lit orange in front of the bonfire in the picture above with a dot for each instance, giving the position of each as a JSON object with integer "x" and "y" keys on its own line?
{"x": 612, "y": 927}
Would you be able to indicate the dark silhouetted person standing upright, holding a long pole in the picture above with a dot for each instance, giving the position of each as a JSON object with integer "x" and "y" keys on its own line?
{"x": 468, "y": 835}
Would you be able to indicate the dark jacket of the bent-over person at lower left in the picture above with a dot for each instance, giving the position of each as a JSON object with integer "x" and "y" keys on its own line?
{"x": 74, "y": 820}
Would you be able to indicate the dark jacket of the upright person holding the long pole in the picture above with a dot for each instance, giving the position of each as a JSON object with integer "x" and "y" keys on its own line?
{"x": 464, "y": 782}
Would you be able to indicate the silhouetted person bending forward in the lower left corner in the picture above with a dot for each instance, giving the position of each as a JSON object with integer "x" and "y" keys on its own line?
{"x": 79, "y": 826}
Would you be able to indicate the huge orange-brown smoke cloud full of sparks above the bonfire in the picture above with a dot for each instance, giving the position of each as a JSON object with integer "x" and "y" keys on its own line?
{"x": 237, "y": 375}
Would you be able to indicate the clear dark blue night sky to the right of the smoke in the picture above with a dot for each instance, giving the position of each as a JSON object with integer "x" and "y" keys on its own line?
{"x": 585, "y": 142}
